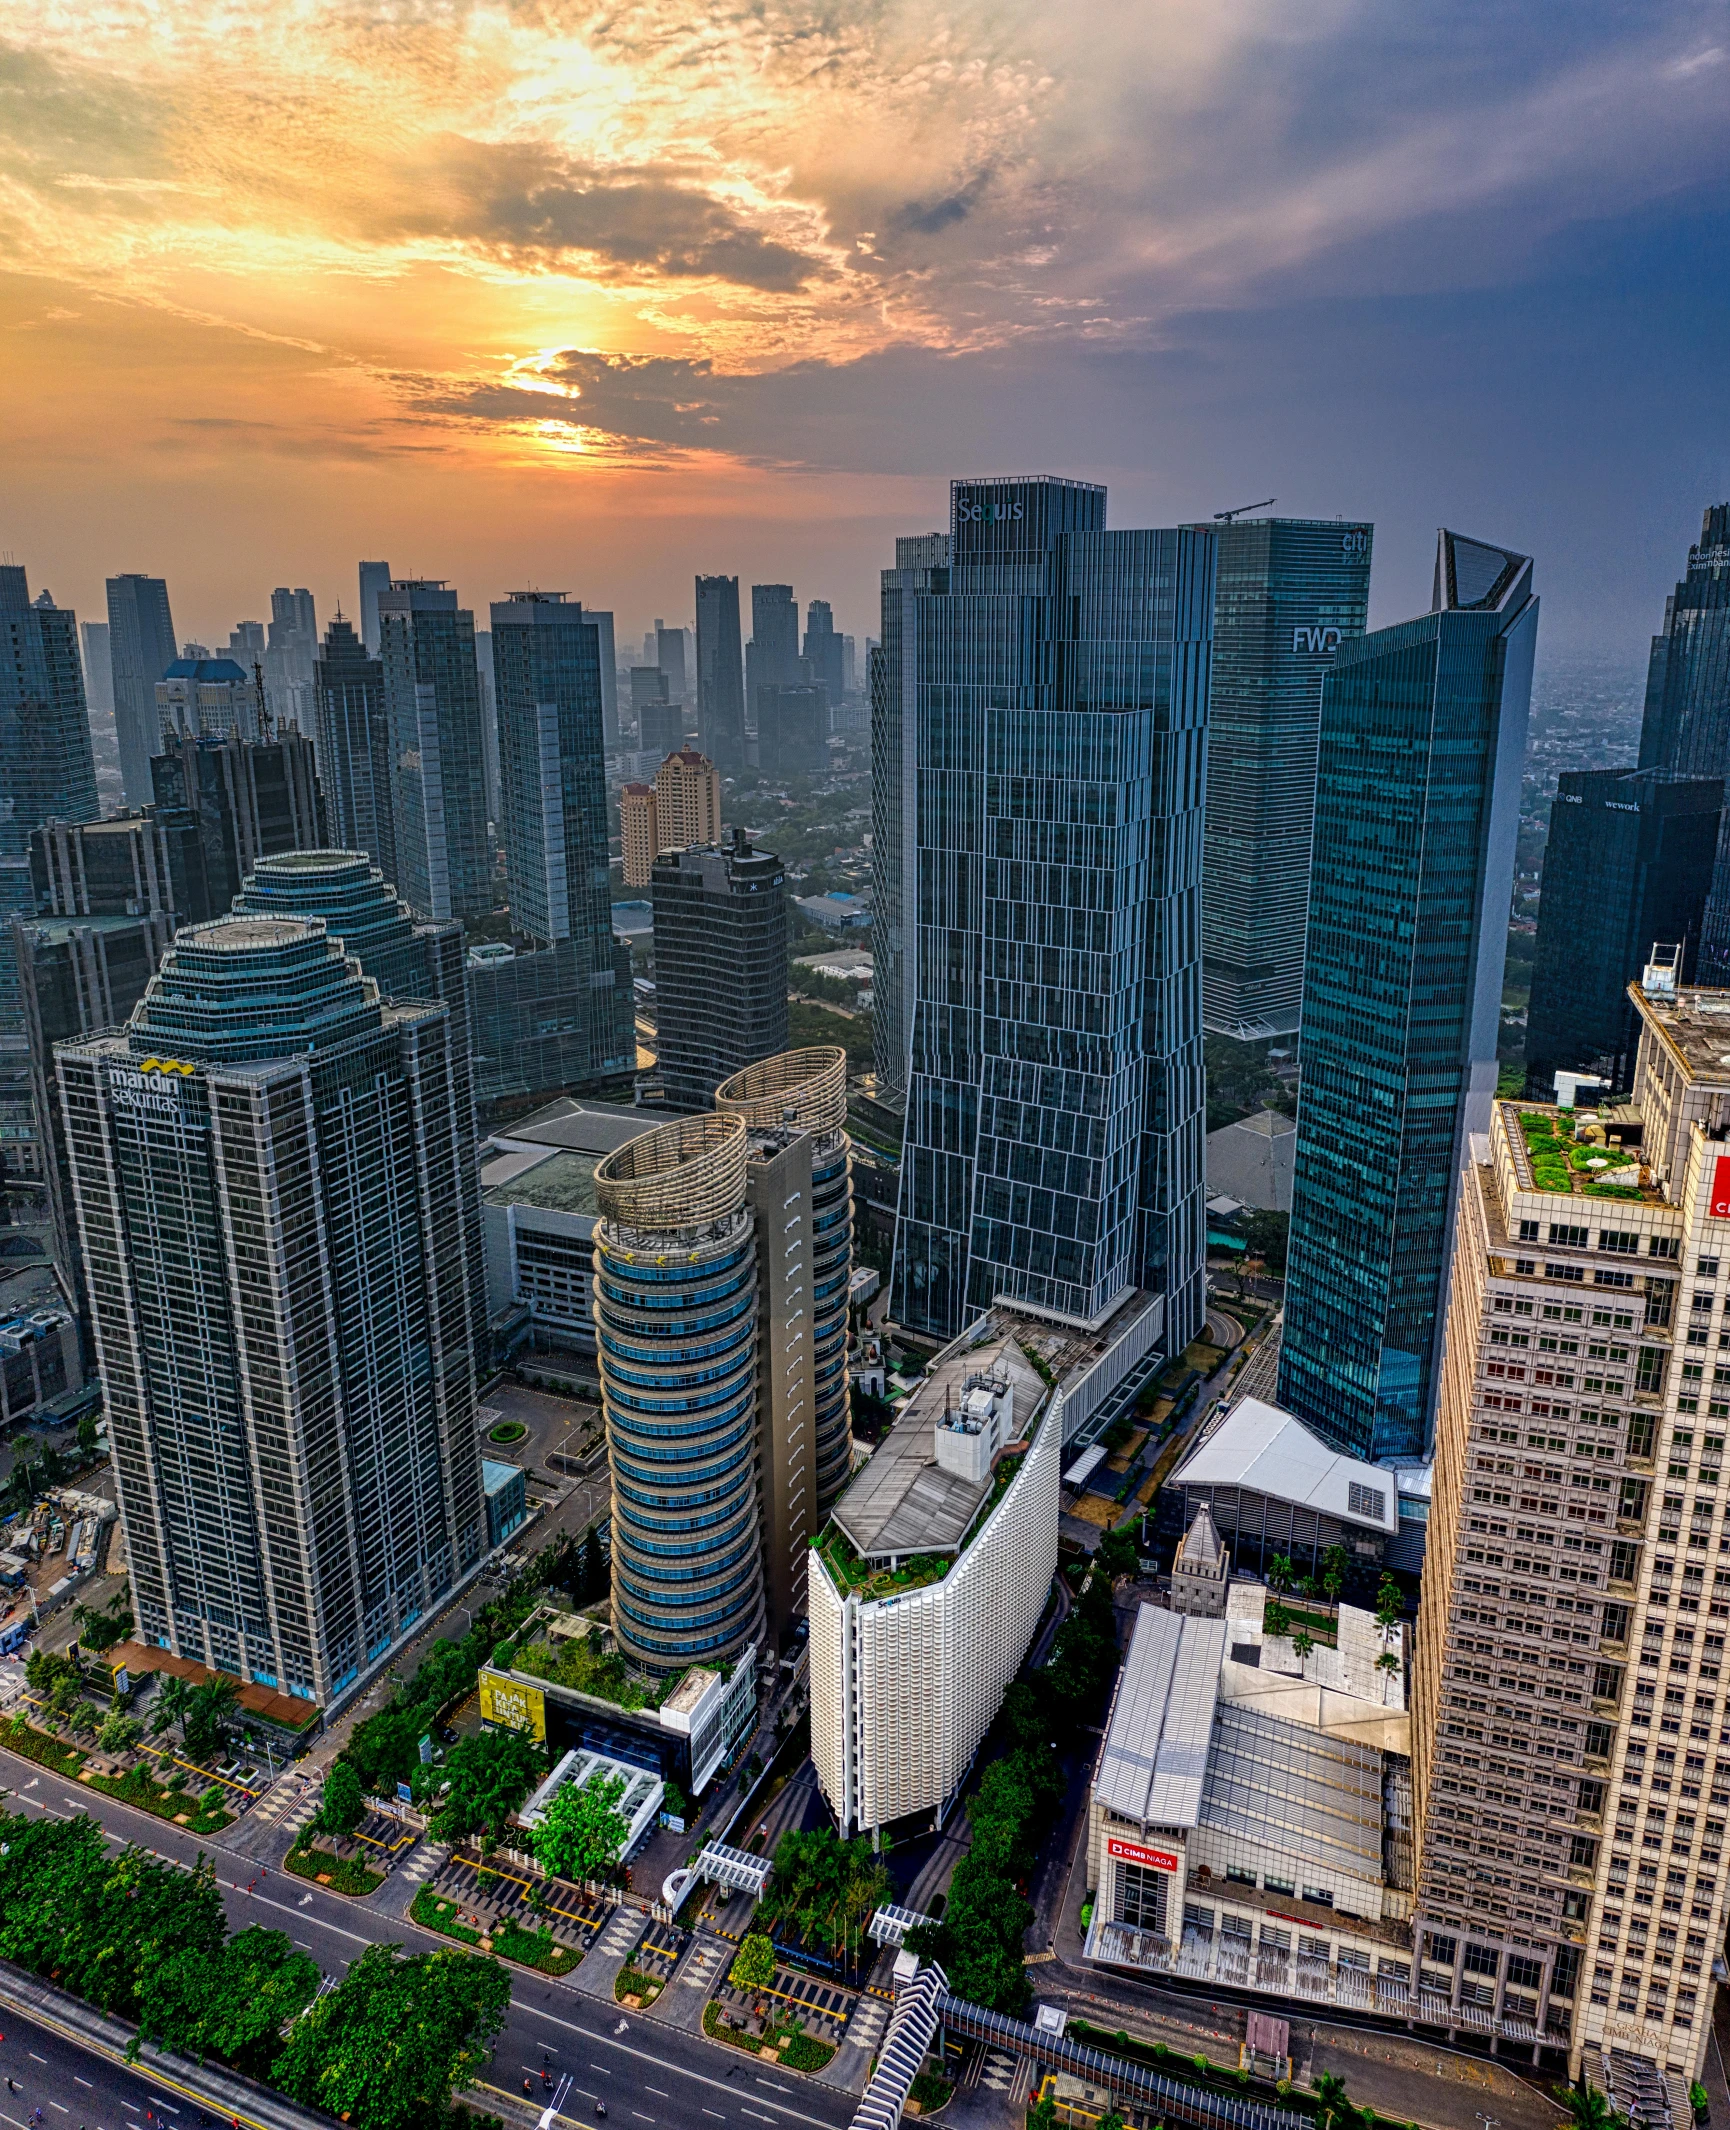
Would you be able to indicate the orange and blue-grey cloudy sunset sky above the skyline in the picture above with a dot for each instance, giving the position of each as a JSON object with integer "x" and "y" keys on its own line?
{"x": 595, "y": 297}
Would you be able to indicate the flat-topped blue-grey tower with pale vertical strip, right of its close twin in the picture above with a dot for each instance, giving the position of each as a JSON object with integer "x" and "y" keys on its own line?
{"x": 546, "y": 657}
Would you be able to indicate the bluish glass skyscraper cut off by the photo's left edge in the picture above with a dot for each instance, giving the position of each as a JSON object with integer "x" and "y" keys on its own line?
{"x": 46, "y": 761}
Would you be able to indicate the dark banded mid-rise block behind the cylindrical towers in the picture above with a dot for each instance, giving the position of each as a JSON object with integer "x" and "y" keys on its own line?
{"x": 719, "y": 966}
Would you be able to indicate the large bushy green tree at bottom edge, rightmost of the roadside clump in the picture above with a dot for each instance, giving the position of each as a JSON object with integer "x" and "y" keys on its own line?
{"x": 397, "y": 2037}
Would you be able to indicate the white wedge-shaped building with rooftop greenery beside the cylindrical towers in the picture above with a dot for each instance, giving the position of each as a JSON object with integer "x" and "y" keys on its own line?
{"x": 930, "y": 1582}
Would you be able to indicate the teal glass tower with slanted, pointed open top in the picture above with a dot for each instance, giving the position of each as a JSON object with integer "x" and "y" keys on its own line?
{"x": 1411, "y": 879}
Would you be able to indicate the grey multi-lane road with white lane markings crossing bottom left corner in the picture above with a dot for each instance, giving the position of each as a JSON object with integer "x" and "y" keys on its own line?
{"x": 649, "y": 2076}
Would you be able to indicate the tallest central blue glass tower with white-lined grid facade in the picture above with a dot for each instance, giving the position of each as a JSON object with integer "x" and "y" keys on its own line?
{"x": 1054, "y": 704}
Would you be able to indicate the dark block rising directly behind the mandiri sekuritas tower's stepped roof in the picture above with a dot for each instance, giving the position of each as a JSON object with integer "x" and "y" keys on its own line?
{"x": 248, "y": 800}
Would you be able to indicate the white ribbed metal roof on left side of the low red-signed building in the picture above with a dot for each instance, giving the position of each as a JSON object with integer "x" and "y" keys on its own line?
{"x": 1156, "y": 1754}
